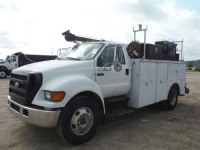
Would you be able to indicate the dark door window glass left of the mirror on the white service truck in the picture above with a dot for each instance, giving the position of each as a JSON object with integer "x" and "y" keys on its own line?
{"x": 107, "y": 56}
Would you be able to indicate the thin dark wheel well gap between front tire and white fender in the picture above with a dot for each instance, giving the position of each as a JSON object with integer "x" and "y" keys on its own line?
{"x": 93, "y": 96}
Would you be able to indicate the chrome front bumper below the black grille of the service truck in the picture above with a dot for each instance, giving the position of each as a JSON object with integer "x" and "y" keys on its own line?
{"x": 38, "y": 117}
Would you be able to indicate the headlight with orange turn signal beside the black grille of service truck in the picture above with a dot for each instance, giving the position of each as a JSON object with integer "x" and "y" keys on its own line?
{"x": 54, "y": 96}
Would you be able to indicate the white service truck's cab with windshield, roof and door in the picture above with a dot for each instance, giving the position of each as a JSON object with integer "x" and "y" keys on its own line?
{"x": 107, "y": 69}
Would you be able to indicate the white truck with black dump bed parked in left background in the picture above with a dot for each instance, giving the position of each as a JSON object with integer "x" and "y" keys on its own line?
{"x": 20, "y": 59}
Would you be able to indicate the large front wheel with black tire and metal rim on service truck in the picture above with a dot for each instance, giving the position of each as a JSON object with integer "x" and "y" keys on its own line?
{"x": 79, "y": 120}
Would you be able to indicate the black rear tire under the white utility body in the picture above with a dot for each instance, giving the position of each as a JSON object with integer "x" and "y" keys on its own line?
{"x": 171, "y": 102}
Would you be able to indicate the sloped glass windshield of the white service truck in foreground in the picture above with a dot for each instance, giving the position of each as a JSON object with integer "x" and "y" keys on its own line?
{"x": 85, "y": 51}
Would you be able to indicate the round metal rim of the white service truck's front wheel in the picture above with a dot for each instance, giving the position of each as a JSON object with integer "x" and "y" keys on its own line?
{"x": 82, "y": 121}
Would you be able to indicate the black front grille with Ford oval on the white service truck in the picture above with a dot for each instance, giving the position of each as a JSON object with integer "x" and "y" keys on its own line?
{"x": 23, "y": 88}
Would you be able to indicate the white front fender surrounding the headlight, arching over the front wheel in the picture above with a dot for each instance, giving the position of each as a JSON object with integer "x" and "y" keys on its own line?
{"x": 72, "y": 85}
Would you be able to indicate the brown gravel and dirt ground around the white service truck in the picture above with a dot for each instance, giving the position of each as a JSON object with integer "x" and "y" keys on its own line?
{"x": 147, "y": 128}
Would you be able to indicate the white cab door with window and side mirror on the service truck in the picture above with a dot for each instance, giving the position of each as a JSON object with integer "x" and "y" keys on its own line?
{"x": 113, "y": 72}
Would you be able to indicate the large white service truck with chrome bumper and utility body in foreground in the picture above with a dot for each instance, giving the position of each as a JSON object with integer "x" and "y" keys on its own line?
{"x": 74, "y": 92}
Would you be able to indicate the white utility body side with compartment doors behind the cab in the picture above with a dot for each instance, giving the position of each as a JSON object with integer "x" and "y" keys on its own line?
{"x": 152, "y": 80}
